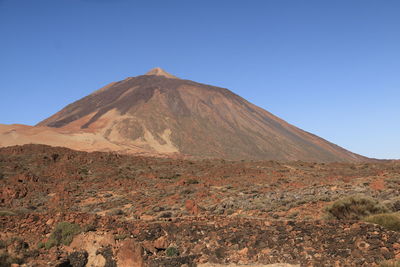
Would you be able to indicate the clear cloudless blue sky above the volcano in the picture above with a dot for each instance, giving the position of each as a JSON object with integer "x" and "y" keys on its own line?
{"x": 329, "y": 67}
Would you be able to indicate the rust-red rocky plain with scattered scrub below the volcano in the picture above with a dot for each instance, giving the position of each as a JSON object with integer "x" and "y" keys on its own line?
{"x": 148, "y": 211}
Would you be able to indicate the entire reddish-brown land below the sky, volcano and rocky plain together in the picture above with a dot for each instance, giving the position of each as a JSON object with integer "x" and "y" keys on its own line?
{"x": 170, "y": 172}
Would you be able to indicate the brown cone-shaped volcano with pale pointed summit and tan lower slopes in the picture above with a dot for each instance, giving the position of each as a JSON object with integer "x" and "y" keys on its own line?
{"x": 160, "y": 113}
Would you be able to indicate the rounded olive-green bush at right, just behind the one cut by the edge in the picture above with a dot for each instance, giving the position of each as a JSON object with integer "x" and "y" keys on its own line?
{"x": 354, "y": 208}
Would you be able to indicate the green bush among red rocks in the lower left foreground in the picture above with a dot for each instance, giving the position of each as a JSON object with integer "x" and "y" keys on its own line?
{"x": 63, "y": 234}
